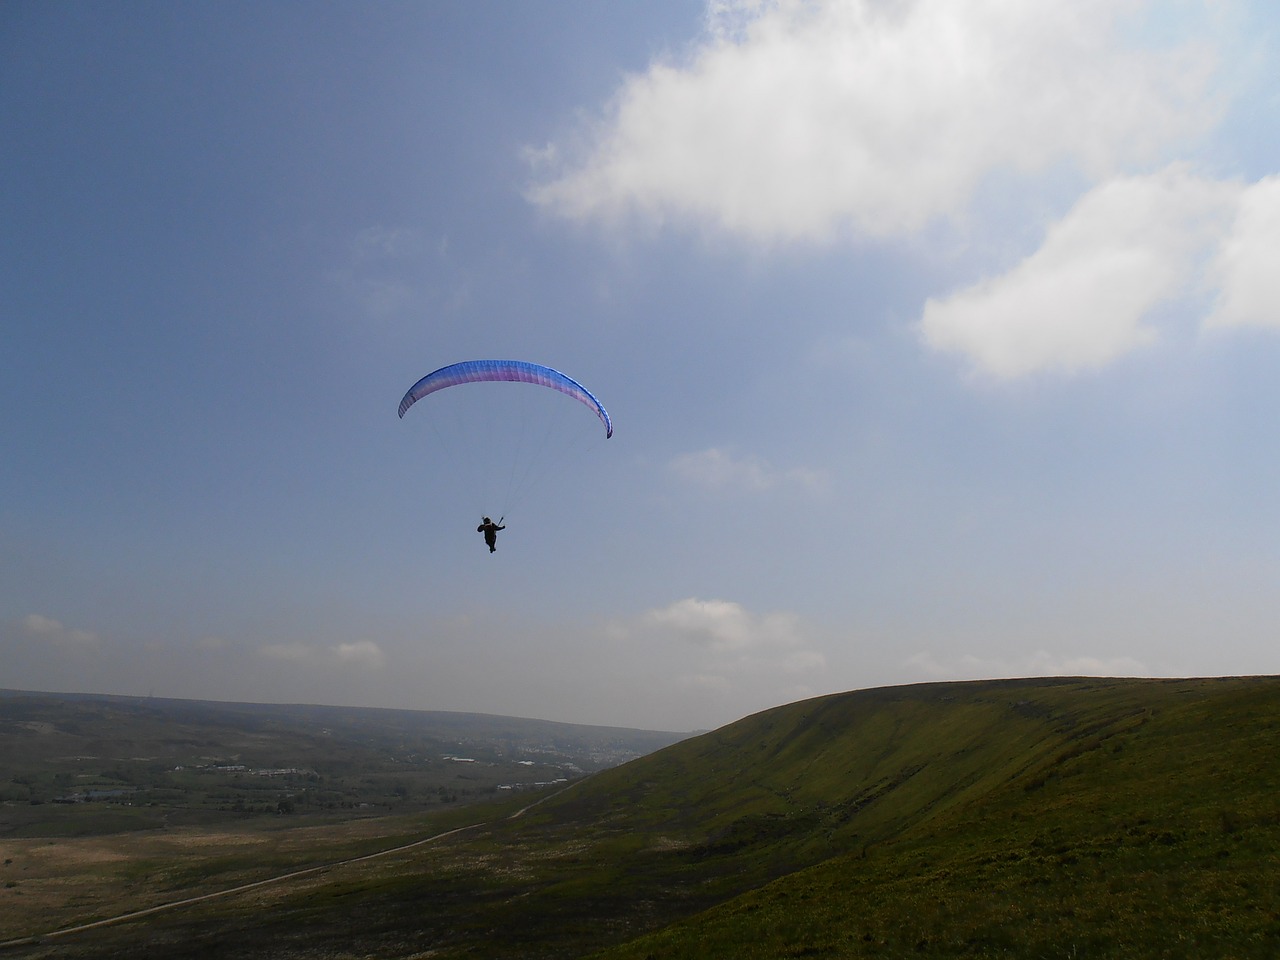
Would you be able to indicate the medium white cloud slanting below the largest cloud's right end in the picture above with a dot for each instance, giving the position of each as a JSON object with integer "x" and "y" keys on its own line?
{"x": 1082, "y": 300}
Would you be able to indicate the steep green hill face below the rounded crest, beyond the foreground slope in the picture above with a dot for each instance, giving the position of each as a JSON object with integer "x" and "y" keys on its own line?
{"x": 845, "y": 771}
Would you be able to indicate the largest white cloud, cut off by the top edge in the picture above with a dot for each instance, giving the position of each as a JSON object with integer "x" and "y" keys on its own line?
{"x": 796, "y": 118}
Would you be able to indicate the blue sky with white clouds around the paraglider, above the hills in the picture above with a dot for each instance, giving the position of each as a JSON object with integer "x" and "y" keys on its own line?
{"x": 940, "y": 342}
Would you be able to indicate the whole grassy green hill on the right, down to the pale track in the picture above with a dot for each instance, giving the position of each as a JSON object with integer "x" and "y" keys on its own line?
{"x": 1012, "y": 819}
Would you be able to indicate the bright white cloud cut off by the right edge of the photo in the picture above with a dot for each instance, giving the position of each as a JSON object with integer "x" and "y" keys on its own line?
{"x": 1245, "y": 268}
